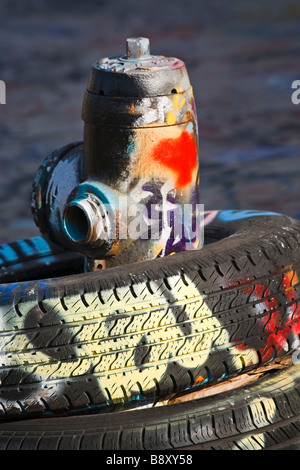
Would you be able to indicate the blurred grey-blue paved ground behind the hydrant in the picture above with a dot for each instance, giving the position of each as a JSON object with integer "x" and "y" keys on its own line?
{"x": 242, "y": 60}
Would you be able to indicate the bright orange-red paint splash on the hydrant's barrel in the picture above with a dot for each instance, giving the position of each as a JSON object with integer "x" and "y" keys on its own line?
{"x": 178, "y": 155}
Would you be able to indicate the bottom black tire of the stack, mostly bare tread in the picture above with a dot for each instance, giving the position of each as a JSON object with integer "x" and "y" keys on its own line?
{"x": 263, "y": 414}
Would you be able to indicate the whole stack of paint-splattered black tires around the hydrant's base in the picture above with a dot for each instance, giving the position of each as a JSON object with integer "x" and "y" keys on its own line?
{"x": 113, "y": 359}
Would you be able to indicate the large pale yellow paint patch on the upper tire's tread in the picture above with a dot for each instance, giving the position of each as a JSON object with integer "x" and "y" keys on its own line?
{"x": 129, "y": 342}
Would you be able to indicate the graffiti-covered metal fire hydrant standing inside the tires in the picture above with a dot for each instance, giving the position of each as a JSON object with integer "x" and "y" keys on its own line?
{"x": 129, "y": 191}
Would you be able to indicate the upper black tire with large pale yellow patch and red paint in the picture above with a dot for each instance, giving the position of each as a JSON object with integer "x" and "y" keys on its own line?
{"x": 148, "y": 330}
